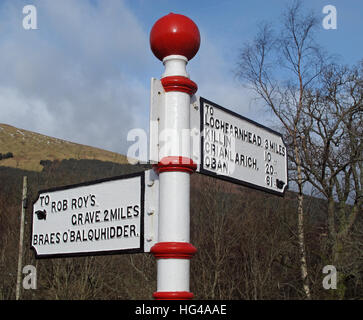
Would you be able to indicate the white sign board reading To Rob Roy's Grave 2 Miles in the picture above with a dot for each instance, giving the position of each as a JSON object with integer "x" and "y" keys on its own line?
{"x": 100, "y": 217}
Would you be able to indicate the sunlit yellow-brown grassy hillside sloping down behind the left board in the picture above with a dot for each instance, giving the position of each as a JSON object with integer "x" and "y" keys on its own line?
{"x": 28, "y": 148}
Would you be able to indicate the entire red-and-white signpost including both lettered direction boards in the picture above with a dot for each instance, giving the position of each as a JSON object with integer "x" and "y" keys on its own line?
{"x": 187, "y": 134}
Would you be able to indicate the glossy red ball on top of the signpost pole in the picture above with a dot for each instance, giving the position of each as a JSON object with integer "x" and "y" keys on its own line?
{"x": 174, "y": 34}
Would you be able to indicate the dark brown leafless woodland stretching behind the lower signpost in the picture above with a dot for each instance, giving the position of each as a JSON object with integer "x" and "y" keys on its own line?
{"x": 246, "y": 243}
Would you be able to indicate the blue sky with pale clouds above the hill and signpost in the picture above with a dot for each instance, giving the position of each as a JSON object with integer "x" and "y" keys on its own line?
{"x": 84, "y": 74}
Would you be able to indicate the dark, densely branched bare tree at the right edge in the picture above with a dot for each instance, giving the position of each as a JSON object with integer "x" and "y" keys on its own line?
{"x": 331, "y": 152}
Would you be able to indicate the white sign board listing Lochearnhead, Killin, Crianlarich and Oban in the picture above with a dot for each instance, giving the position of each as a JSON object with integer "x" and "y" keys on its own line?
{"x": 237, "y": 149}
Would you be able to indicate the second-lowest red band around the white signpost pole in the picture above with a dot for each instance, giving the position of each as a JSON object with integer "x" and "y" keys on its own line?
{"x": 173, "y": 250}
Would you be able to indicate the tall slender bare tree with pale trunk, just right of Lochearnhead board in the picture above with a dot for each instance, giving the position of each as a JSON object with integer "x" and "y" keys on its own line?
{"x": 280, "y": 69}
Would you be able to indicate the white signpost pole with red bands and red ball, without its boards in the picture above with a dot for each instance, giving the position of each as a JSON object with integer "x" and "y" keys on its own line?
{"x": 174, "y": 40}
